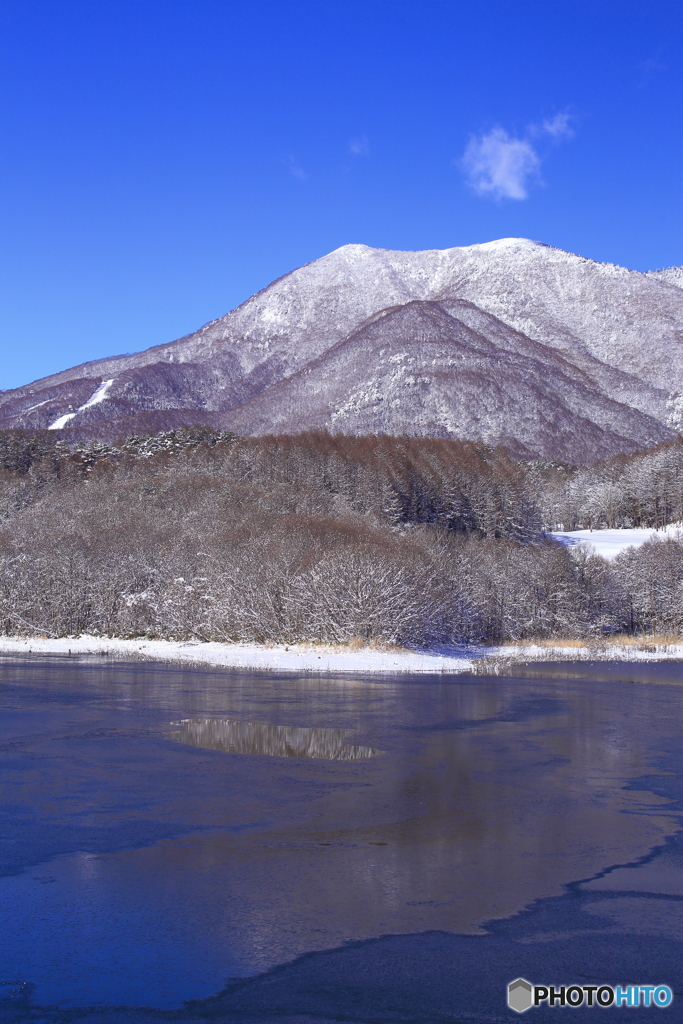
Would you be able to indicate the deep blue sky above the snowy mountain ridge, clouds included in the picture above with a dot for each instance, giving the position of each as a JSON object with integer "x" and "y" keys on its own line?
{"x": 162, "y": 161}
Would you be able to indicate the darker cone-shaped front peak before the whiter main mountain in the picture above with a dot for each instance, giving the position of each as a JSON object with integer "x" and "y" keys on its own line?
{"x": 421, "y": 365}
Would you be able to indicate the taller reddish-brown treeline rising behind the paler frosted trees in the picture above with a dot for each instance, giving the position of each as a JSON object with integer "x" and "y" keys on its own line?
{"x": 458, "y": 485}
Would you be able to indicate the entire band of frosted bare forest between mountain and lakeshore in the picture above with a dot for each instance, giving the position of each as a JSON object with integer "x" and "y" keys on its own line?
{"x": 200, "y": 534}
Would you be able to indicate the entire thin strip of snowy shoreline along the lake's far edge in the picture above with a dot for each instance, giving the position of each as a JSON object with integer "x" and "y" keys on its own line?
{"x": 325, "y": 659}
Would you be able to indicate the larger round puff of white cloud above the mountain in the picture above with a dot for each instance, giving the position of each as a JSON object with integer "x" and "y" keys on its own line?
{"x": 500, "y": 166}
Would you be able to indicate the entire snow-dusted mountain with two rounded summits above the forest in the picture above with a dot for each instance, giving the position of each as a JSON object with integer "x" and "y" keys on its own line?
{"x": 509, "y": 343}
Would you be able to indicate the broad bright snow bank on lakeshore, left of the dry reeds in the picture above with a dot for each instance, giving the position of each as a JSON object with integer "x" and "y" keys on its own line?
{"x": 297, "y": 658}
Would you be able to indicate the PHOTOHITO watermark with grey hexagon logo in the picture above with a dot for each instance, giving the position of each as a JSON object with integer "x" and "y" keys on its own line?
{"x": 523, "y": 996}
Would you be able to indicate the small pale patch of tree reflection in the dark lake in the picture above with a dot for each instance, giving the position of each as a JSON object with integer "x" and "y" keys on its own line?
{"x": 276, "y": 741}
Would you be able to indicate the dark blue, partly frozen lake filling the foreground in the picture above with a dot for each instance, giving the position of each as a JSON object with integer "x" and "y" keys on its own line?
{"x": 280, "y": 848}
